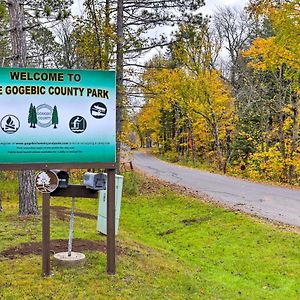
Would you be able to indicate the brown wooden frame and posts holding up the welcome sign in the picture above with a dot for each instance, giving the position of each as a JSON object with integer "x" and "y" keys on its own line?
{"x": 78, "y": 191}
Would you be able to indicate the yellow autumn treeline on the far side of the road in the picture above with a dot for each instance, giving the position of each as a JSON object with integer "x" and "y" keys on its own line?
{"x": 238, "y": 114}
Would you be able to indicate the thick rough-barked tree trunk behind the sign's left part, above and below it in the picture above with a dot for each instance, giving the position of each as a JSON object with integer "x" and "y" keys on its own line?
{"x": 27, "y": 192}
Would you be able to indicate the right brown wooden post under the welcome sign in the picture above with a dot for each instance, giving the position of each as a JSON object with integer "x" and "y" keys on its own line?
{"x": 111, "y": 239}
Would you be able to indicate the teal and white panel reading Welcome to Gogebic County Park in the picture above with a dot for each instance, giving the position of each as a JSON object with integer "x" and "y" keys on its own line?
{"x": 57, "y": 116}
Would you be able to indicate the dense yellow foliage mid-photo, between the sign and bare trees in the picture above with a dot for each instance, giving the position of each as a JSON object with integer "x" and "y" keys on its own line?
{"x": 200, "y": 102}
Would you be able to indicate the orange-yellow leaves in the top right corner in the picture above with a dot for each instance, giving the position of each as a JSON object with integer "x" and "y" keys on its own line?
{"x": 283, "y": 48}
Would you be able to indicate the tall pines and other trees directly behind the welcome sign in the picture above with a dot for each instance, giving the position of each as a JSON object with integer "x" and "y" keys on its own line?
{"x": 108, "y": 34}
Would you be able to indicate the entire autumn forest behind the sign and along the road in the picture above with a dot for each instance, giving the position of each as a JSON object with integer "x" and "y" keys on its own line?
{"x": 238, "y": 115}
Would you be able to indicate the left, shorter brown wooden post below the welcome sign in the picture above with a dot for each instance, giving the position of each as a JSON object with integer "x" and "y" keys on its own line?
{"x": 46, "y": 235}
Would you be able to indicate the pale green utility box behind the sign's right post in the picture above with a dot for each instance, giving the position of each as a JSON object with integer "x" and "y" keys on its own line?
{"x": 102, "y": 208}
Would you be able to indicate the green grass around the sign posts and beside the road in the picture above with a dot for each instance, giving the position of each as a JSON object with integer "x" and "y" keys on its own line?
{"x": 177, "y": 247}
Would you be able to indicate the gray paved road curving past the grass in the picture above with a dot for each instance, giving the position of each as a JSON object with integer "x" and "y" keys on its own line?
{"x": 272, "y": 202}
